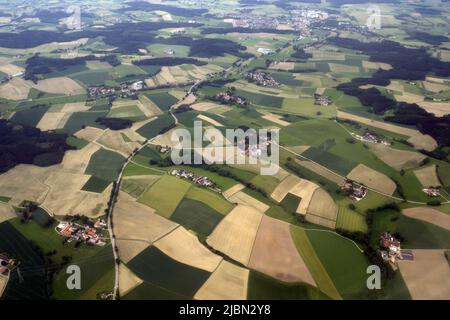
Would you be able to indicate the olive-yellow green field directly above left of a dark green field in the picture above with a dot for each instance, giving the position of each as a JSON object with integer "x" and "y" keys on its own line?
{"x": 165, "y": 195}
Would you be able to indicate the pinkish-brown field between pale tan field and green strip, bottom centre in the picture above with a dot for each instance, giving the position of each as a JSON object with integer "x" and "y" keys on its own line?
{"x": 275, "y": 254}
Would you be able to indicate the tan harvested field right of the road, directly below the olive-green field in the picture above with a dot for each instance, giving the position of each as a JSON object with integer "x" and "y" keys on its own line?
{"x": 135, "y": 221}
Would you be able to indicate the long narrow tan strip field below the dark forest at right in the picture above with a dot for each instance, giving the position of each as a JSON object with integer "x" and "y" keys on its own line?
{"x": 419, "y": 140}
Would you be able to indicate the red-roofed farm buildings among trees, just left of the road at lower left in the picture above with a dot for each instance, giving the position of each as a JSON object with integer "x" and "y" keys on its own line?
{"x": 89, "y": 234}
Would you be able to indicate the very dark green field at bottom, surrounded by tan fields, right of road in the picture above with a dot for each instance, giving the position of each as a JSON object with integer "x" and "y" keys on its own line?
{"x": 158, "y": 269}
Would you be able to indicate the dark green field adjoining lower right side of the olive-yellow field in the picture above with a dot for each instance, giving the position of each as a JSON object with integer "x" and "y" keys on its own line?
{"x": 196, "y": 216}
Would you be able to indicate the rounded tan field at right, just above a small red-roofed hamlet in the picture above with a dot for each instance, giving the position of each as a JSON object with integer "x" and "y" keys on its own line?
{"x": 372, "y": 179}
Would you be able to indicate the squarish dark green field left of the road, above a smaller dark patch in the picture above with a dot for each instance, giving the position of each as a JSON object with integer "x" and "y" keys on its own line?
{"x": 105, "y": 164}
